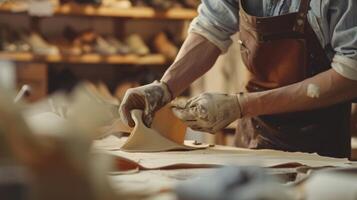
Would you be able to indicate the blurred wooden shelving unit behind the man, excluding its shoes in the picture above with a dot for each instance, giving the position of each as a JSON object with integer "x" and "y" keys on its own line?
{"x": 33, "y": 69}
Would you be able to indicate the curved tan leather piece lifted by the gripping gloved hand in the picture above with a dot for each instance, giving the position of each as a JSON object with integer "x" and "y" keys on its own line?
{"x": 144, "y": 139}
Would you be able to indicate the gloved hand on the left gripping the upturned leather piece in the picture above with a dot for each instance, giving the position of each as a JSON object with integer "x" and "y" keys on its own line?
{"x": 148, "y": 98}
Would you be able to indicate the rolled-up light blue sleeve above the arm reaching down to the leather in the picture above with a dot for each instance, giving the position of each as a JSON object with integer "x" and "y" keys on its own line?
{"x": 217, "y": 21}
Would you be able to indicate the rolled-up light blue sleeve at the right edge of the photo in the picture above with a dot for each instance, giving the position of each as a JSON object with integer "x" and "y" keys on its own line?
{"x": 343, "y": 34}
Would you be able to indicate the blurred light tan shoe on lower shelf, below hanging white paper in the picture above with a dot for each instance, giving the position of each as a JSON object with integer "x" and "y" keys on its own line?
{"x": 38, "y": 44}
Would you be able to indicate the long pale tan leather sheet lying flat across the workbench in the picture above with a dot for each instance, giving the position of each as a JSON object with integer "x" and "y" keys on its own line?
{"x": 219, "y": 156}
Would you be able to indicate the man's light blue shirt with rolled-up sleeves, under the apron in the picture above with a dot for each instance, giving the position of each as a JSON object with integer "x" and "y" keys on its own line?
{"x": 334, "y": 22}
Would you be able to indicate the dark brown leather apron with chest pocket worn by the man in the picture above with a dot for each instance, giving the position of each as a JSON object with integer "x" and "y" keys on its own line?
{"x": 279, "y": 51}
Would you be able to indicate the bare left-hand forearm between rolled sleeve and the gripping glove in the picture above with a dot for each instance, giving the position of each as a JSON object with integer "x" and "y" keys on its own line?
{"x": 196, "y": 57}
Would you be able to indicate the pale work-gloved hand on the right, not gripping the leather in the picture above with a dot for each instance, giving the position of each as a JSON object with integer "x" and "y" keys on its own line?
{"x": 209, "y": 112}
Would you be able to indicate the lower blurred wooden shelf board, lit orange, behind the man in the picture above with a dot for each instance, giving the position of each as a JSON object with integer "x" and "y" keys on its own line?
{"x": 153, "y": 59}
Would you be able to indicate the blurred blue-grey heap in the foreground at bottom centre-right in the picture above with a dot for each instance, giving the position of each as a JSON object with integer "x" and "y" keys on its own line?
{"x": 232, "y": 183}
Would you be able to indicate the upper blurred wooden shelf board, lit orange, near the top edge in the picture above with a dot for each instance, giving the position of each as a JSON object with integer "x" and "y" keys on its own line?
{"x": 101, "y": 11}
